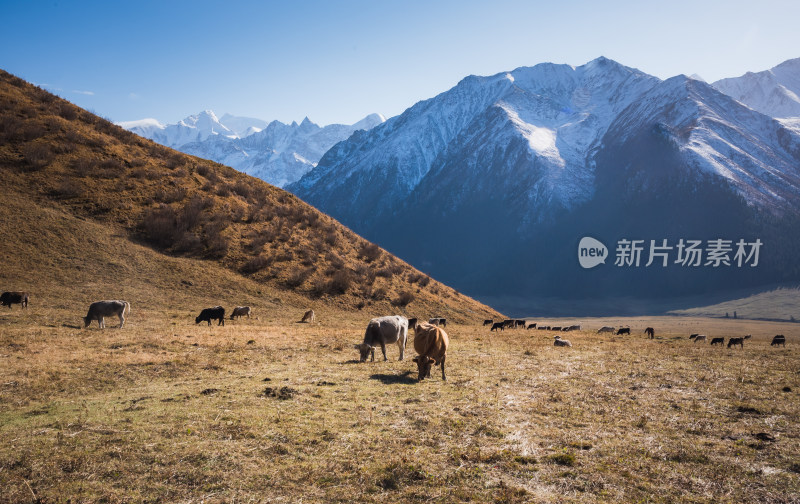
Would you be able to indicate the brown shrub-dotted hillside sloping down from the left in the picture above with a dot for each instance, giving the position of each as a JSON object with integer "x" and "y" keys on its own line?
{"x": 89, "y": 203}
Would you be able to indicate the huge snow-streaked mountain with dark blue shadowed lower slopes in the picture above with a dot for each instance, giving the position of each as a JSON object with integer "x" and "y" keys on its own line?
{"x": 550, "y": 152}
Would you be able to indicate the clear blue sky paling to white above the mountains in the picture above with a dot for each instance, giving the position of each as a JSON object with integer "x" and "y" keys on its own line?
{"x": 337, "y": 61}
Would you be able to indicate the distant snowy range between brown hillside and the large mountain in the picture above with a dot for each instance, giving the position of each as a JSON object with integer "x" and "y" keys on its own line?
{"x": 276, "y": 152}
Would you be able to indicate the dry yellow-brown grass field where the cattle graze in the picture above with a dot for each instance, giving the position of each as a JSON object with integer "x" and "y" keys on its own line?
{"x": 269, "y": 410}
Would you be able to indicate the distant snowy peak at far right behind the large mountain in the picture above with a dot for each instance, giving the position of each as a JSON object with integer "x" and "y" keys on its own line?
{"x": 774, "y": 92}
